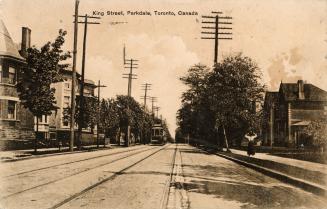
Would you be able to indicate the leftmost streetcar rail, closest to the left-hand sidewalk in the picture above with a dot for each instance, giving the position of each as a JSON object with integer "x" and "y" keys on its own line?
{"x": 76, "y": 161}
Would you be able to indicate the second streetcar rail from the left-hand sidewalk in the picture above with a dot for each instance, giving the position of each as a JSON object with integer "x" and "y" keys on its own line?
{"x": 74, "y": 174}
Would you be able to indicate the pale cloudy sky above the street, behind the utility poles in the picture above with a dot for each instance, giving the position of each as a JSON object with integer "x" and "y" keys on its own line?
{"x": 287, "y": 38}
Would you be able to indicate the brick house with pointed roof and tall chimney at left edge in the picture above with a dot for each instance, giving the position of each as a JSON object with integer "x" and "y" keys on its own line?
{"x": 16, "y": 122}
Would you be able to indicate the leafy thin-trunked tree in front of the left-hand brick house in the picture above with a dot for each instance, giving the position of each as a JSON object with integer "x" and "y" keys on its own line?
{"x": 42, "y": 69}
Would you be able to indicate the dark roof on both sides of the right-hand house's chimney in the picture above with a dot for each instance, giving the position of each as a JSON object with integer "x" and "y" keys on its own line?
{"x": 311, "y": 92}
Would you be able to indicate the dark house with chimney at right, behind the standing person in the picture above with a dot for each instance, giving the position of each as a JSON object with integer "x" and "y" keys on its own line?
{"x": 287, "y": 112}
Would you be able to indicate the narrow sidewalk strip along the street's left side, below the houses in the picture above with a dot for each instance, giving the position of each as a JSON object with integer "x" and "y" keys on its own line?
{"x": 14, "y": 155}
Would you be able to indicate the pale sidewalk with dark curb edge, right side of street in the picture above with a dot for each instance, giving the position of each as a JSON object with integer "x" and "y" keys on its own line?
{"x": 306, "y": 175}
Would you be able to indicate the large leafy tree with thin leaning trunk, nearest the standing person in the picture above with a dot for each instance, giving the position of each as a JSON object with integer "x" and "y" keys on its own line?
{"x": 234, "y": 88}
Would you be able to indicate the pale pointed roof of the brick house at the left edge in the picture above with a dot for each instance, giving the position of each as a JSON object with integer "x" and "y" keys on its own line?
{"x": 7, "y": 45}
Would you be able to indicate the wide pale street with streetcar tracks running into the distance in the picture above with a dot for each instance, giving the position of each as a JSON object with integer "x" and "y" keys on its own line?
{"x": 169, "y": 176}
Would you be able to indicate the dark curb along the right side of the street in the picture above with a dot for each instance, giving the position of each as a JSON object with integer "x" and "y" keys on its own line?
{"x": 308, "y": 186}
